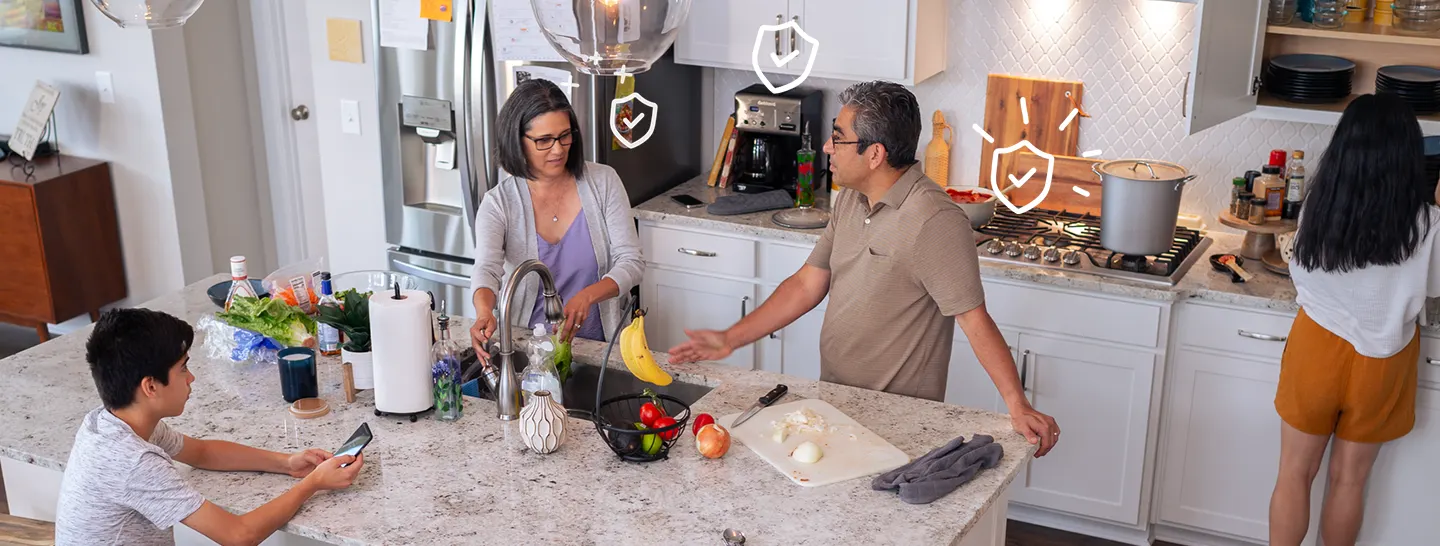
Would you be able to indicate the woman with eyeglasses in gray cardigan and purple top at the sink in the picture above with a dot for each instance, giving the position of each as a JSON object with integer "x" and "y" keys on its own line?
{"x": 555, "y": 207}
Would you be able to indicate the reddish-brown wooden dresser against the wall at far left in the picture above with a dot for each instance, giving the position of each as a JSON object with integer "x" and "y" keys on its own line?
{"x": 60, "y": 243}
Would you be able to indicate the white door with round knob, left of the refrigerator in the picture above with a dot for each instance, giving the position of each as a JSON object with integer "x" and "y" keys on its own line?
{"x": 292, "y": 143}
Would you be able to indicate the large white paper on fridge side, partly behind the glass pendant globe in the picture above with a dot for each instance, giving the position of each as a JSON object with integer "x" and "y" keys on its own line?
{"x": 518, "y": 31}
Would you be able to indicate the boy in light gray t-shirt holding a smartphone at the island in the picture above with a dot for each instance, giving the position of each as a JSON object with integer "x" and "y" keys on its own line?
{"x": 122, "y": 486}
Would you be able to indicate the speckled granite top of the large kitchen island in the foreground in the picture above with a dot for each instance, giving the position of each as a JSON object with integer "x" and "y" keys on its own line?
{"x": 472, "y": 482}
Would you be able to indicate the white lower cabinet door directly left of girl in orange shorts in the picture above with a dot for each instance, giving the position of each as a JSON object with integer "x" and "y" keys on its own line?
{"x": 1213, "y": 406}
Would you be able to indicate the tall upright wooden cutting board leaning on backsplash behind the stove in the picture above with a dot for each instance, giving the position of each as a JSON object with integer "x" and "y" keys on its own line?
{"x": 1048, "y": 109}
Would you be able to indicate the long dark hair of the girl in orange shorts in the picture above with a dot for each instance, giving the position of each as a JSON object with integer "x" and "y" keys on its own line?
{"x": 1367, "y": 202}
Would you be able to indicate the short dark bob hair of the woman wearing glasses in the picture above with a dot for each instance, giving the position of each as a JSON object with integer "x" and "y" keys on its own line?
{"x": 531, "y": 100}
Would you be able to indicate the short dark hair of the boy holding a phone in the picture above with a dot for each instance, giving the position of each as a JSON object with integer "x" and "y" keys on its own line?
{"x": 130, "y": 345}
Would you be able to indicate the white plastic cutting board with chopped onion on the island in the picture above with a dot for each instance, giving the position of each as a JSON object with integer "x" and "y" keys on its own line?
{"x": 845, "y": 459}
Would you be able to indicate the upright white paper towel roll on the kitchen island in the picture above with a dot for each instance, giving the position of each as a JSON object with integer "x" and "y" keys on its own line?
{"x": 401, "y": 349}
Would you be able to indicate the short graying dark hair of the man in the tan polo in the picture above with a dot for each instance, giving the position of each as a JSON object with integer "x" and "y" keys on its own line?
{"x": 886, "y": 115}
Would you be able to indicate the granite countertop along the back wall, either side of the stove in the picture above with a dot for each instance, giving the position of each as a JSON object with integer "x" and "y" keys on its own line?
{"x": 1268, "y": 290}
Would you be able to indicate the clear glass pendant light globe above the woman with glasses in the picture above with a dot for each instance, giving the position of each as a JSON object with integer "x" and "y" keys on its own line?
{"x": 611, "y": 37}
